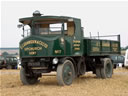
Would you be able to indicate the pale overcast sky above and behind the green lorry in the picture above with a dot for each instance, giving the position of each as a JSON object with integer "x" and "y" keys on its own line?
{"x": 107, "y": 18}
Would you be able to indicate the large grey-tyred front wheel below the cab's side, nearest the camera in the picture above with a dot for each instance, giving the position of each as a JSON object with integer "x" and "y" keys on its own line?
{"x": 65, "y": 73}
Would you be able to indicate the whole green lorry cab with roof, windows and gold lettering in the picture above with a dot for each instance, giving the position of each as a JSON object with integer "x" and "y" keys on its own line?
{"x": 51, "y": 36}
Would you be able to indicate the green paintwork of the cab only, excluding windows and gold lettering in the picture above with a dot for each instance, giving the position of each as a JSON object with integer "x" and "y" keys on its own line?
{"x": 53, "y": 41}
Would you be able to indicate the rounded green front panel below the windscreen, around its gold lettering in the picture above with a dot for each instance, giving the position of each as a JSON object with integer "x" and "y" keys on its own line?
{"x": 53, "y": 44}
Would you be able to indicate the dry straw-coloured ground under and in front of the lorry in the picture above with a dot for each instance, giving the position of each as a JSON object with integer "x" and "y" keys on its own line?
{"x": 87, "y": 85}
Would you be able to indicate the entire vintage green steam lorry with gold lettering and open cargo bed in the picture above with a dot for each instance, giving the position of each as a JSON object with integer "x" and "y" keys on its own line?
{"x": 56, "y": 43}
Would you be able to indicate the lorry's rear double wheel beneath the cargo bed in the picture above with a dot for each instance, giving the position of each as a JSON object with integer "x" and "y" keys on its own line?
{"x": 106, "y": 71}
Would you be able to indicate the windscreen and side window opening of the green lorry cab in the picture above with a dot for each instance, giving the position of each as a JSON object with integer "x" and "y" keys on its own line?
{"x": 42, "y": 28}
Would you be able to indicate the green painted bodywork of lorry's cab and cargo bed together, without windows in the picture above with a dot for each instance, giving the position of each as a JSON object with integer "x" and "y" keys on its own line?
{"x": 68, "y": 48}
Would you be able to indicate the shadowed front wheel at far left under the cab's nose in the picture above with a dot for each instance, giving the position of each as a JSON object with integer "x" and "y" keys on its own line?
{"x": 26, "y": 78}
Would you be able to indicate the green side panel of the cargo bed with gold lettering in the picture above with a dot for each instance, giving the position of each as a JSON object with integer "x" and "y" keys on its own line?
{"x": 93, "y": 47}
